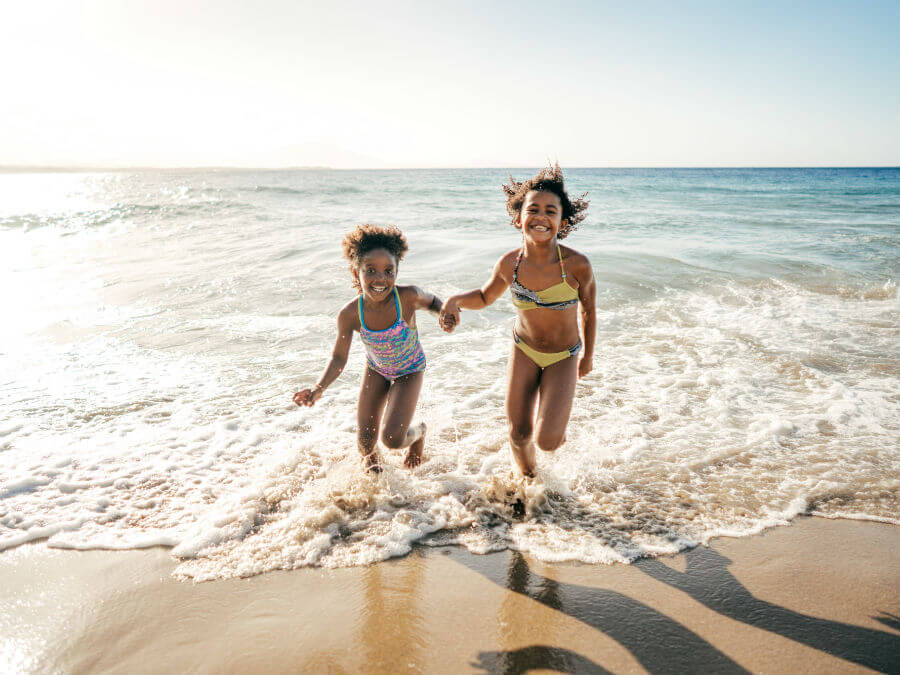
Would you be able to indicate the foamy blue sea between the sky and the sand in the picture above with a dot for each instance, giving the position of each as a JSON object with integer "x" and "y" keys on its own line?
{"x": 156, "y": 324}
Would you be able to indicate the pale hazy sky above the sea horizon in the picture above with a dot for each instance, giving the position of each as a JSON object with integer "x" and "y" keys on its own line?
{"x": 347, "y": 84}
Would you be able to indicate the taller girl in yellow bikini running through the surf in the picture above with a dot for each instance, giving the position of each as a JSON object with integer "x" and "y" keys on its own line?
{"x": 544, "y": 363}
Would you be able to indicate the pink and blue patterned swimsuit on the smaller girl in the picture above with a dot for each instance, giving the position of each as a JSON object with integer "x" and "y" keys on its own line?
{"x": 394, "y": 351}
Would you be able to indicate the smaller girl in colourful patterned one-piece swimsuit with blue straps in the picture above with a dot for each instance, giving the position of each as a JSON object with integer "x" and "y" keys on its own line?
{"x": 384, "y": 315}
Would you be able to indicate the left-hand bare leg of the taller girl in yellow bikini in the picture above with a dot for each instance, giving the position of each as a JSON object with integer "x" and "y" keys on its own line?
{"x": 521, "y": 394}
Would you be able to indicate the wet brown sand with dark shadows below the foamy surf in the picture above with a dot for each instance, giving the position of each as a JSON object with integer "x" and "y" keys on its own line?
{"x": 820, "y": 596}
